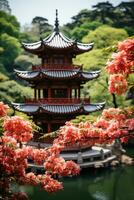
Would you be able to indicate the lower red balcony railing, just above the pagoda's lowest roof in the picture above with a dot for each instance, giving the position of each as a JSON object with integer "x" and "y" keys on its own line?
{"x": 58, "y": 101}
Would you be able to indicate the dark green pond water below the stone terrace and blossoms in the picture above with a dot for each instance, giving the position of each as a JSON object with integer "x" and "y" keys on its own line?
{"x": 106, "y": 184}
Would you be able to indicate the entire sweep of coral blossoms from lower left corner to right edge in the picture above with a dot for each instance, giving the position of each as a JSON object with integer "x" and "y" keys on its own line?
{"x": 14, "y": 159}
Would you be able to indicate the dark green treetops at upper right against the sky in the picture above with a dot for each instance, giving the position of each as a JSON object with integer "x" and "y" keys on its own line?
{"x": 120, "y": 16}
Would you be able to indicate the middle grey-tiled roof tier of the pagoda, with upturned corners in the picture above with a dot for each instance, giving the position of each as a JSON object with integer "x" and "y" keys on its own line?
{"x": 57, "y": 74}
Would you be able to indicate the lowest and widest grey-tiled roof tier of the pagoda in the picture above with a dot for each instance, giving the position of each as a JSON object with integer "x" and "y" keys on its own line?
{"x": 82, "y": 108}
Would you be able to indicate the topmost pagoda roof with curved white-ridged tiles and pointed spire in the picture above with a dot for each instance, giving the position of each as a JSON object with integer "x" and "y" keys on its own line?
{"x": 57, "y": 40}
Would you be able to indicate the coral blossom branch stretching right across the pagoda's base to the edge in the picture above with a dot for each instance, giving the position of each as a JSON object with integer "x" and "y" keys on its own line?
{"x": 114, "y": 123}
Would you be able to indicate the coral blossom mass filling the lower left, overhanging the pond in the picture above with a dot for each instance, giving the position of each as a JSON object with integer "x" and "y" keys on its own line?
{"x": 14, "y": 157}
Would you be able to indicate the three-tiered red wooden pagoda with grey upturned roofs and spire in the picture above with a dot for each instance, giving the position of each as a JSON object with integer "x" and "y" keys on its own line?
{"x": 57, "y": 83}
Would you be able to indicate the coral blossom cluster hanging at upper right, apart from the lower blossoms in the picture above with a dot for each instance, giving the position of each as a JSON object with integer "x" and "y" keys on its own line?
{"x": 121, "y": 65}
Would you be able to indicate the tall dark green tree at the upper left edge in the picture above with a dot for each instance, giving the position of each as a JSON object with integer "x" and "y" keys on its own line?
{"x": 9, "y": 43}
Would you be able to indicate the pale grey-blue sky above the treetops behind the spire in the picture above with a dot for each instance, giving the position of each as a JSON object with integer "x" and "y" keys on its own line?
{"x": 26, "y": 10}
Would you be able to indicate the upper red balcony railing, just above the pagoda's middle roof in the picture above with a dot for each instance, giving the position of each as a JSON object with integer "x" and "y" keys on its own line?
{"x": 56, "y": 67}
